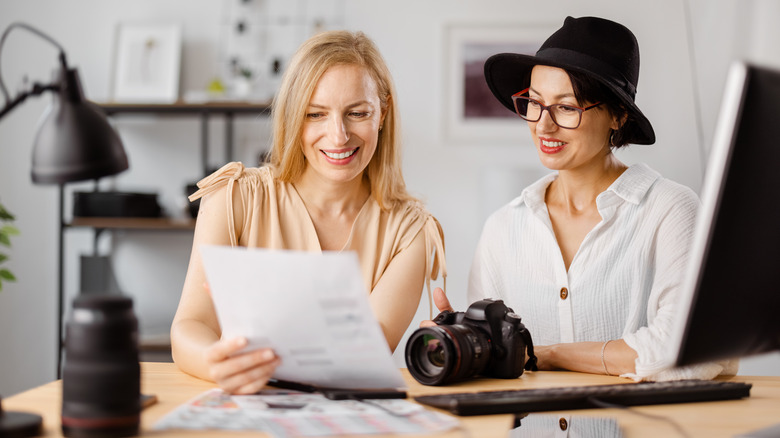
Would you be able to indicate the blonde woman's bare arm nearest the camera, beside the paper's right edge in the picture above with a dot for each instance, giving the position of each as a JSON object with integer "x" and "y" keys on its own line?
{"x": 395, "y": 298}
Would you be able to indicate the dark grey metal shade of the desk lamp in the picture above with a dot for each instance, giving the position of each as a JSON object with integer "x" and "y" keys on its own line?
{"x": 75, "y": 142}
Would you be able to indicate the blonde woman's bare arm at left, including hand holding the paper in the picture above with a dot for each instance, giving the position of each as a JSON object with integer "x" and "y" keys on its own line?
{"x": 195, "y": 333}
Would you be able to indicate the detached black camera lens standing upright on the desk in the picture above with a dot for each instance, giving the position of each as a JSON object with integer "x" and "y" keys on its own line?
{"x": 101, "y": 379}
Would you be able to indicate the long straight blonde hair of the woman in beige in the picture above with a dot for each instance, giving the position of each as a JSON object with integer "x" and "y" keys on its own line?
{"x": 312, "y": 59}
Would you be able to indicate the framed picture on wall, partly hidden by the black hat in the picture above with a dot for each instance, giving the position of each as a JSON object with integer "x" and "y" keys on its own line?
{"x": 471, "y": 112}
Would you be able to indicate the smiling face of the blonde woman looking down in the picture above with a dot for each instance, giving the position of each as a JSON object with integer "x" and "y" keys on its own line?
{"x": 342, "y": 124}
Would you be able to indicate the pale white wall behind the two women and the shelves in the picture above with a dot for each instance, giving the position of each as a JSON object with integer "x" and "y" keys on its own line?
{"x": 461, "y": 182}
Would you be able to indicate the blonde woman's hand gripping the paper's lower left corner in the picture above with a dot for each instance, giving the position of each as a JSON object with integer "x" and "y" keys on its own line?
{"x": 244, "y": 373}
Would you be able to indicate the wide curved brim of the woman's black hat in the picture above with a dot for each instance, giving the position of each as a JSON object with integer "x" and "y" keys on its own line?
{"x": 508, "y": 73}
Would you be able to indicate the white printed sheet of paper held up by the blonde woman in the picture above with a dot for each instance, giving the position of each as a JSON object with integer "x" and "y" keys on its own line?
{"x": 311, "y": 309}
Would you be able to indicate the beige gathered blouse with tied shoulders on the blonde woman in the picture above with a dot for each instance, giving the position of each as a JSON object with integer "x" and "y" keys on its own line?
{"x": 275, "y": 217}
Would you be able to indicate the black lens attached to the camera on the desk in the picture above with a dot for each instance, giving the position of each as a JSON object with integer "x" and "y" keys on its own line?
{"x": 446, "y": 353}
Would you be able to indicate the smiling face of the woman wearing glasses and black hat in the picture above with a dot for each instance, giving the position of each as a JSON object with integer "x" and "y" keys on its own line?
{"x": 568, "y": 149}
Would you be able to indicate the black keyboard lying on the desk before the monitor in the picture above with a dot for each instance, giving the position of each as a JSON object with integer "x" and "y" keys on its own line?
{"x": 586, "y": 397}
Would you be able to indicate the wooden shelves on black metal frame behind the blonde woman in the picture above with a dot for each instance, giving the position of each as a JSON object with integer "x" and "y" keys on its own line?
{"x": 229, "y": 110}
